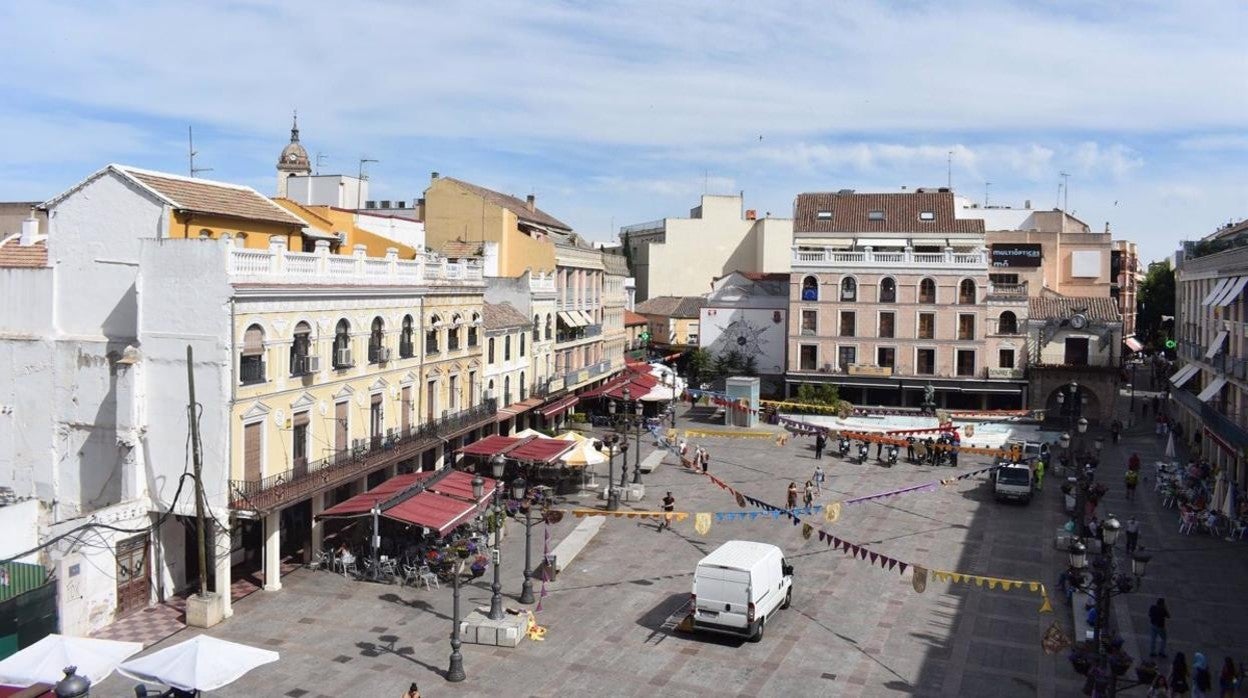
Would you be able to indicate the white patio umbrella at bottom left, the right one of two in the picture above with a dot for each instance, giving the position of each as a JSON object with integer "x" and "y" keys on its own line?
{"x": 202, "y": 664}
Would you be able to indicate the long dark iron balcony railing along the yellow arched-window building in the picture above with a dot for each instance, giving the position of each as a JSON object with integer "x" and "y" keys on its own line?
{"x": 366, "y": 456}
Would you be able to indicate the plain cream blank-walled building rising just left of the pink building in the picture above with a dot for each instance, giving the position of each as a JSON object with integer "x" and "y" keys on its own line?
{"x": 682, "y": 257}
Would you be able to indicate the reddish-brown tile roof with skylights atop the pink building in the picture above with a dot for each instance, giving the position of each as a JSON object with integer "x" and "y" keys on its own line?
{"x": 849, "y": 213}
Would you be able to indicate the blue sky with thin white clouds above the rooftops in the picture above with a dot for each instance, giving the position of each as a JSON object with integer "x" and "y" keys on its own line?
{"x": 620, "y": 113}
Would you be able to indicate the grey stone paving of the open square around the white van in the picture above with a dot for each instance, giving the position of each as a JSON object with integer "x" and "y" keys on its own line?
{"x": 853, "y": 630}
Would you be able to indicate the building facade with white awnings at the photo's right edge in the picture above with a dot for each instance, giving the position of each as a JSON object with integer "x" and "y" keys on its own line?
{"x": 1210, "y": 390}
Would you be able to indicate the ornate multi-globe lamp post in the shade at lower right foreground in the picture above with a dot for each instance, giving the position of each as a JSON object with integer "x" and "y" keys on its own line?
{"x": 1105, "y": 582}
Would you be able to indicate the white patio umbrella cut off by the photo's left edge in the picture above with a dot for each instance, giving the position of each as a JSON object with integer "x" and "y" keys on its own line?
{"x": 46, "y": 661}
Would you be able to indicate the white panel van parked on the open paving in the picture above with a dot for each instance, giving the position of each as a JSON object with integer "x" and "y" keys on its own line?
{"x": 739, "y": 586}
